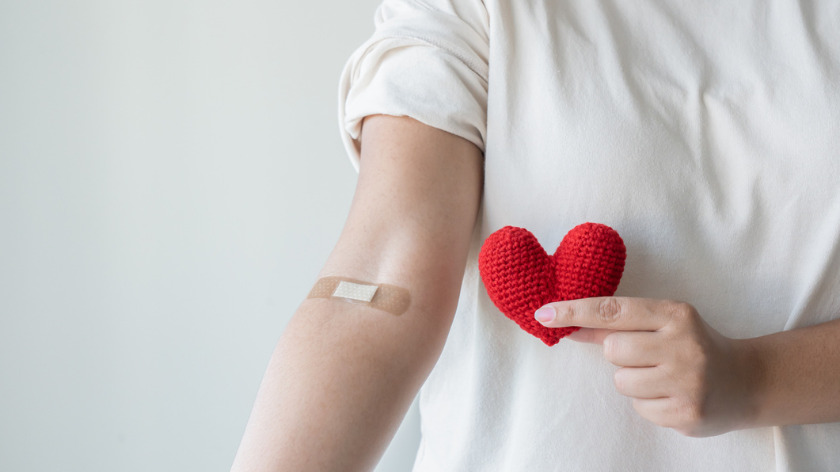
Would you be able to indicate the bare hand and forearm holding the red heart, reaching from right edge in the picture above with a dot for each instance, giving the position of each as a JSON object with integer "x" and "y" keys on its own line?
{"x": 682, "y": 374}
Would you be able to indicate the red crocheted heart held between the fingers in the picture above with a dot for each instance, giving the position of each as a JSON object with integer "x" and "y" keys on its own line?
{"x": 520, "y": 276}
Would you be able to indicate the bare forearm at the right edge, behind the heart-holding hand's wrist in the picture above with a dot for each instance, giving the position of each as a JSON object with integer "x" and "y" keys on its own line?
{"x": 796, "y": 376}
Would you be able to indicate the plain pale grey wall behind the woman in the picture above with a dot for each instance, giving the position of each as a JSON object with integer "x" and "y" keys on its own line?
{"x": 171, "y": 180}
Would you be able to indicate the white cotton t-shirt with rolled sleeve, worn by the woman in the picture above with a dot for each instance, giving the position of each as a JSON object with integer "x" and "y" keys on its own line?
{"x": 706, "y": 133}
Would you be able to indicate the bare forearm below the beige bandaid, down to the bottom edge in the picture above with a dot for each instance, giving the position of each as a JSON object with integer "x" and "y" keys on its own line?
{"x": 338, "y": 384}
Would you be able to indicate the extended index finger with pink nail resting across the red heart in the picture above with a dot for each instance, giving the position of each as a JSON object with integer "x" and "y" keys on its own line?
{"x": 619, "y": 313}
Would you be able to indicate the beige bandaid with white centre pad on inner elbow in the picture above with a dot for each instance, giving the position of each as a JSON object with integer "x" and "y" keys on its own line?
{"x": 385, "y": 297}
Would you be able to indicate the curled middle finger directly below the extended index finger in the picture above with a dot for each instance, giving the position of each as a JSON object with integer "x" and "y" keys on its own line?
{"x": 634, "y": 348}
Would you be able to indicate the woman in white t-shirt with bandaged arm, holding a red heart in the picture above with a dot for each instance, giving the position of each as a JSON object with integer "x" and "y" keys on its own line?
{"x": 705, "y": 133}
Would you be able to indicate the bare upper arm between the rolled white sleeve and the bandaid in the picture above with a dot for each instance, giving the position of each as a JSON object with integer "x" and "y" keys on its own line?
{"x": 413, "y": 212}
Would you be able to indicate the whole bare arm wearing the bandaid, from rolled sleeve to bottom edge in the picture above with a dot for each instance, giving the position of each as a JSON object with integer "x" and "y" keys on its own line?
{"x": 343, "y": 375}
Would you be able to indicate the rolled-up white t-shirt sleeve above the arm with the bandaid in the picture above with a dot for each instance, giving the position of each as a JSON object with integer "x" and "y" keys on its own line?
{"x": 427, "y": 60}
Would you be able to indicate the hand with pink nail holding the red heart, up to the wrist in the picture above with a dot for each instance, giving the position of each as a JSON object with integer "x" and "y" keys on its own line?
{"x": 679, "y": 371}
